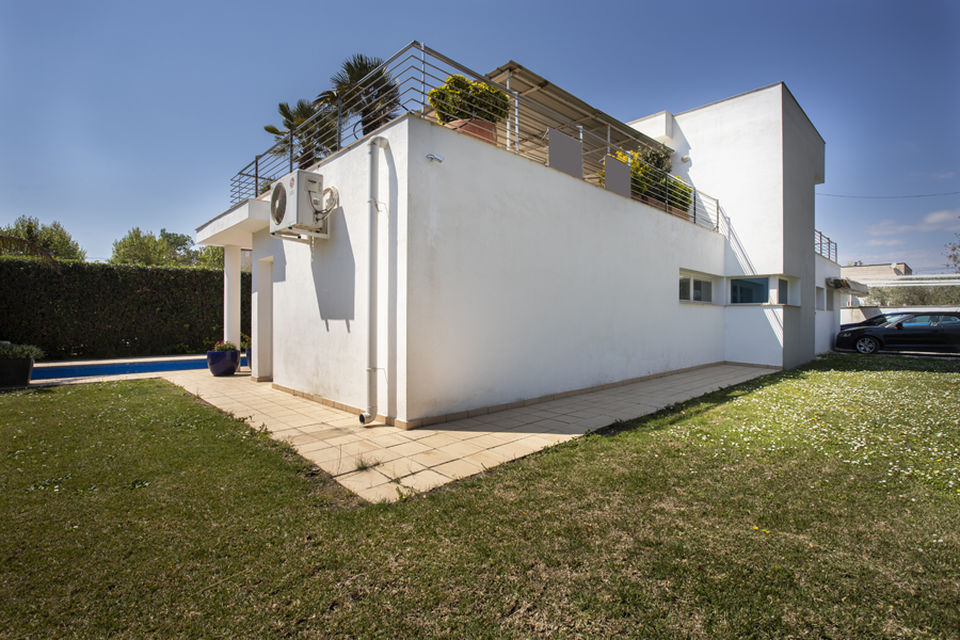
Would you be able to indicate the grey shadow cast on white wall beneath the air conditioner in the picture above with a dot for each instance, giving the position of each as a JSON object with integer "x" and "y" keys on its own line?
{"x": 335, "y": 273}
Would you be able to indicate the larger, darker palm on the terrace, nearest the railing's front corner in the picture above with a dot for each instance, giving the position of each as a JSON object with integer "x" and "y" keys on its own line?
{"x": 362, "y": 87}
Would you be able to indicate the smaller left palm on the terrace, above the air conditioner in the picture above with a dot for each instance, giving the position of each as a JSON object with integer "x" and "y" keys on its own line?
{"x": 314, "y": 131}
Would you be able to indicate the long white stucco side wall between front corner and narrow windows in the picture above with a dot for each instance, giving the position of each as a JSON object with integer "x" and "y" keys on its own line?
{"x": 524, "y": 281}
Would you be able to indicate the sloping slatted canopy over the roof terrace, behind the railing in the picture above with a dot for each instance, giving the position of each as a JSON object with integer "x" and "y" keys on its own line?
{"x": 568, "y": 106}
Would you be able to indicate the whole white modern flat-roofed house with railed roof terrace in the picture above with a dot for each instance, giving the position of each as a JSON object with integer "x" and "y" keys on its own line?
{"x": 457, "y": 275}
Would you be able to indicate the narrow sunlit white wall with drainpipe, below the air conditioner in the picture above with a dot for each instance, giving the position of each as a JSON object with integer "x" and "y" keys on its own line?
{"x": 320, "y": 290}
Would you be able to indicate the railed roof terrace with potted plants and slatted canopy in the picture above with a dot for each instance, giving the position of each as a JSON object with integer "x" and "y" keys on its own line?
{"x": 542, "y": 122}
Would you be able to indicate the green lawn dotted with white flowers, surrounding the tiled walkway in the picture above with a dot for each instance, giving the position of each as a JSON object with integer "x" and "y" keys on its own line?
{"x": 818, "y": 503}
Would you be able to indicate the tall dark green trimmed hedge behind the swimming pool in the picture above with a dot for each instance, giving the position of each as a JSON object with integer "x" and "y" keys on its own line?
{"x": 96, "y": 310}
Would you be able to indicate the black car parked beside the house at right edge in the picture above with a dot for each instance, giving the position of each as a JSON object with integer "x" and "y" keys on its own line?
{"x": 938, "y": 331}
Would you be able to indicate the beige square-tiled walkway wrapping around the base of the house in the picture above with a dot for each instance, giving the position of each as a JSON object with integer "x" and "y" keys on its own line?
{"x": 381, "y": 462}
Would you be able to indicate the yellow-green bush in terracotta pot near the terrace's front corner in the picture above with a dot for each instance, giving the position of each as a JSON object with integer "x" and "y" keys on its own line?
{"x": 474, "y": 108}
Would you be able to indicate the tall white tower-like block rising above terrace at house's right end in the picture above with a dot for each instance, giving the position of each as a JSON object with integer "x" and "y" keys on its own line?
{"x": 760, "y": 156}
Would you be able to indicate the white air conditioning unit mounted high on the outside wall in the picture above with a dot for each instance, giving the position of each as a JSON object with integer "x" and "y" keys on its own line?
{"x": 297, "y": 208}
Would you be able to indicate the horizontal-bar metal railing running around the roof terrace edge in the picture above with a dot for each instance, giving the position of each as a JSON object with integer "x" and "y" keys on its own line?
{"x": 402, "y": 84}
